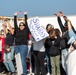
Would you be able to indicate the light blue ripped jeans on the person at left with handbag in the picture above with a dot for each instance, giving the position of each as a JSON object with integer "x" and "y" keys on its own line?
{"x": 8, "y": 61}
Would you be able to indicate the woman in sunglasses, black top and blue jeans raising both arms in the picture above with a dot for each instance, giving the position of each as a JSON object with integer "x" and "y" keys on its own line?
{"x": 21, "y": 40}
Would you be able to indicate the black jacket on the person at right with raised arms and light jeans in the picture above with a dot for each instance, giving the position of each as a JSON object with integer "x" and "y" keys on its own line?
{"x": 65, "y": 35}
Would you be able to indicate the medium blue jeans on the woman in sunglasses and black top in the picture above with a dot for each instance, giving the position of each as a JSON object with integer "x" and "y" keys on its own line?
{"x": 22, "y": 49}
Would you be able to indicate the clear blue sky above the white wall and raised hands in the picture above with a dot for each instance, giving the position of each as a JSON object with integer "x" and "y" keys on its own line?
{"x": 37, "y": 7}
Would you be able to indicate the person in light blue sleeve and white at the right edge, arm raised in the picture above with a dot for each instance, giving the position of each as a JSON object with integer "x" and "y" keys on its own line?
{"x": 71, "y": 59}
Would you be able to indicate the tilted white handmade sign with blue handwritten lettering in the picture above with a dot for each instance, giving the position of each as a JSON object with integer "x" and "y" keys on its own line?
{"x": 37, "y": 31}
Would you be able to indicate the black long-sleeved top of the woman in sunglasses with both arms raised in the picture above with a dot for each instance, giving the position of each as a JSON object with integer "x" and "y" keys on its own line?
{"x": 21, "y": 36}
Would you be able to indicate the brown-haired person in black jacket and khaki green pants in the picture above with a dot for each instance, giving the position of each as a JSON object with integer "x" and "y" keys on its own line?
{"x": 53, "y": 43}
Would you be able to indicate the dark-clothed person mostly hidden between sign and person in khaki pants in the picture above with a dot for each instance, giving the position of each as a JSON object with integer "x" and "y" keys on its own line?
{"x": 49, "y": 27}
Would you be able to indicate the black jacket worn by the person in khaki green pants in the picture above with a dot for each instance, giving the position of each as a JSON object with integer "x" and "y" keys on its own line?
{"x": 54, "y": 46}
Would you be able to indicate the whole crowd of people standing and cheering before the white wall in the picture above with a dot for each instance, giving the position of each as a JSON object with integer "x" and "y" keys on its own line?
{"x": 45, "y": 57}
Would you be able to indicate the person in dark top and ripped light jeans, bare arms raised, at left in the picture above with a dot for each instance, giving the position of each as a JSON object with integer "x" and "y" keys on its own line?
{"x": 8, "y": 55}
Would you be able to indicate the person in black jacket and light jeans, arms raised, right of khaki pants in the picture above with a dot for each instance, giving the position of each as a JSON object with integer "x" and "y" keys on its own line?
{"x": 65, "y": 37}
